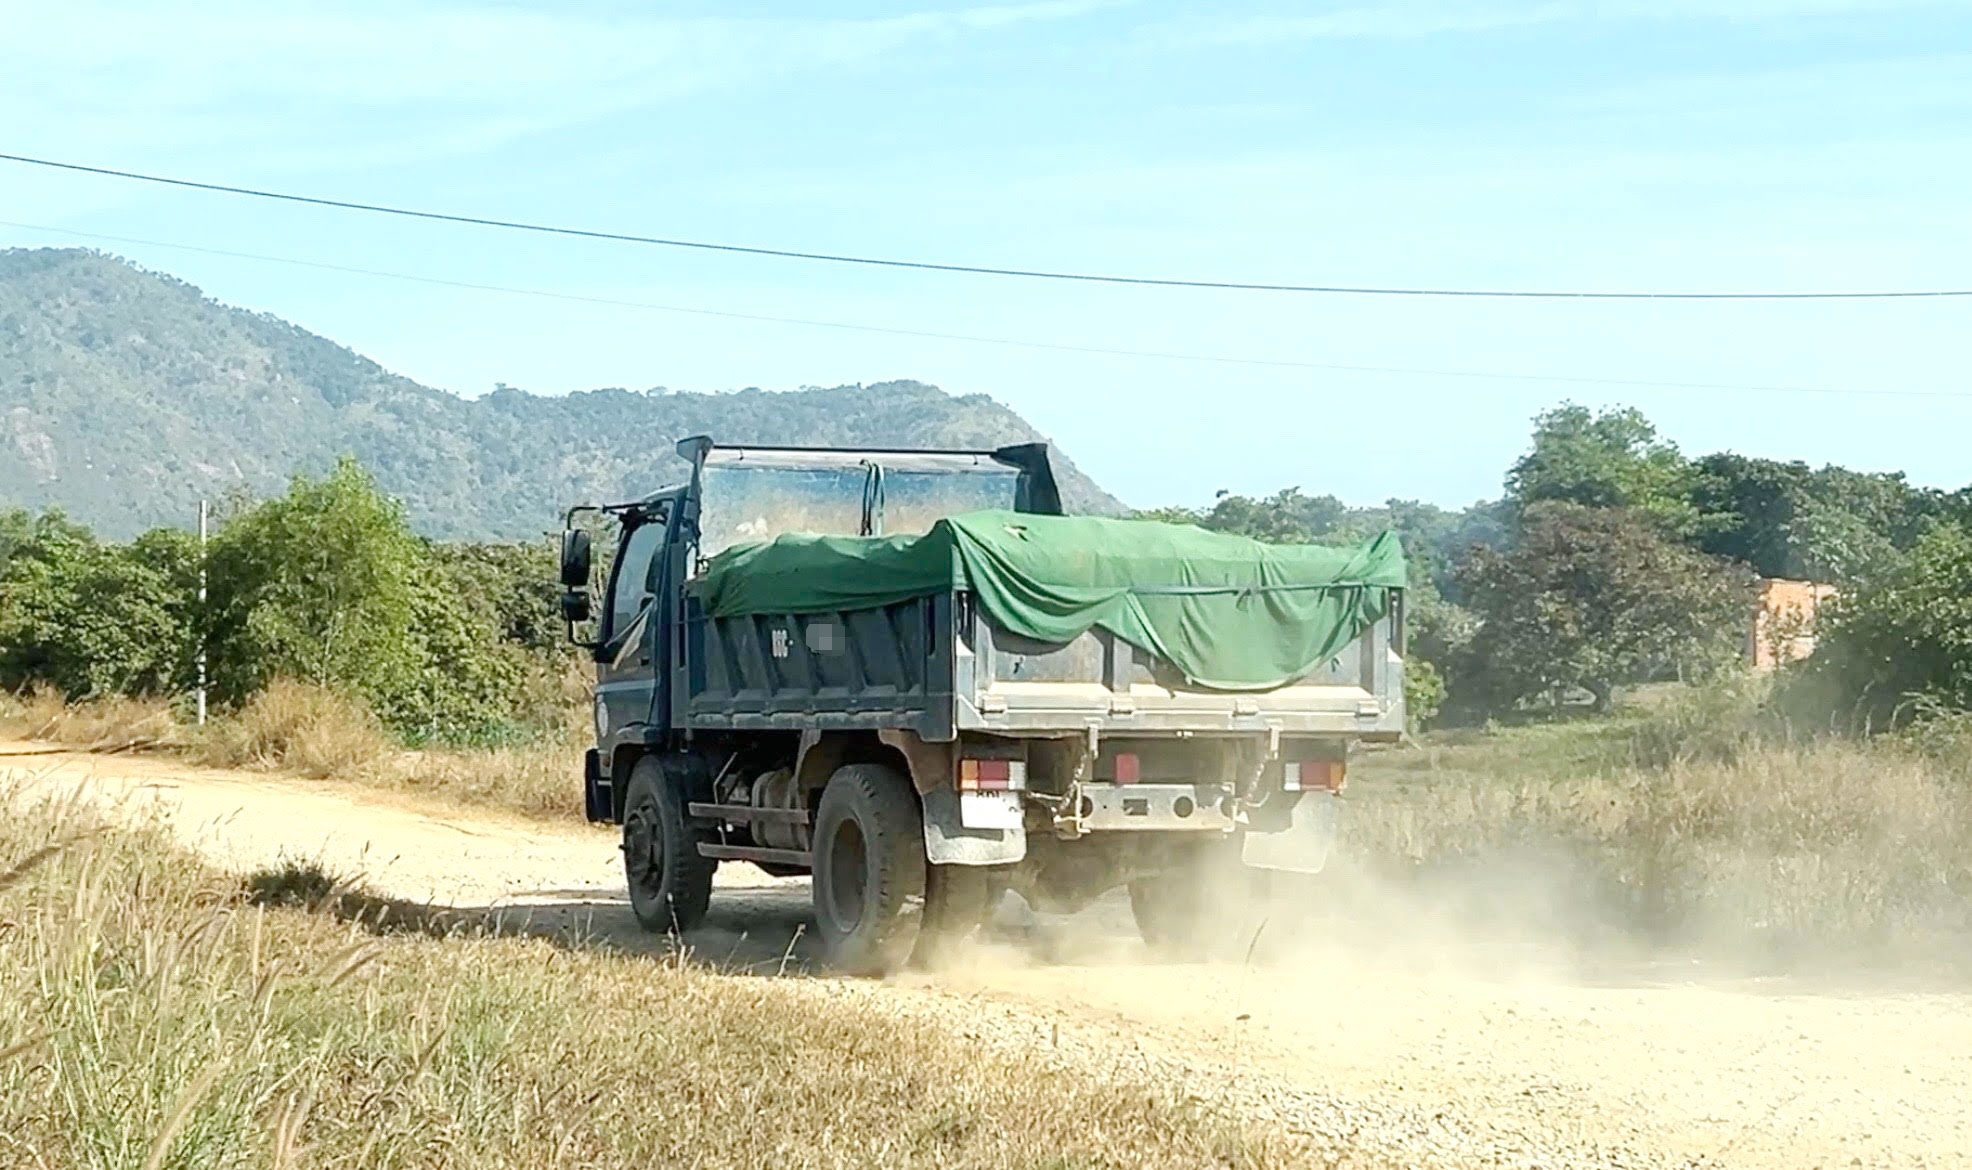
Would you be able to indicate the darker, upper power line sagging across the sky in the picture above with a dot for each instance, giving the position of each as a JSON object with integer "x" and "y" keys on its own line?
{"x": 967, "y": 269}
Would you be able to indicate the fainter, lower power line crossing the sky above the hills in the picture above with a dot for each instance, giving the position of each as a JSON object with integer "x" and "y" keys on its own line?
{"x": 1009, "y": 342}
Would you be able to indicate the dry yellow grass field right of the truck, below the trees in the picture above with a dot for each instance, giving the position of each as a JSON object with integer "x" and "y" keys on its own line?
{"x": 1697, "y": 822}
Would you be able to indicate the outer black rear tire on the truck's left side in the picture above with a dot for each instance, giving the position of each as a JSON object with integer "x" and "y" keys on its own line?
{"x": 869, "y": 869}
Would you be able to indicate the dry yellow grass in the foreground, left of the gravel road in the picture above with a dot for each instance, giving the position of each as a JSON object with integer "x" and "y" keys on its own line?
{"x": 151, "y": 1017}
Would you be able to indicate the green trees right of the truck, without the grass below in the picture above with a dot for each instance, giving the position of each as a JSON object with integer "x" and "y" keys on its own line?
{"x": 1612, "y": 559}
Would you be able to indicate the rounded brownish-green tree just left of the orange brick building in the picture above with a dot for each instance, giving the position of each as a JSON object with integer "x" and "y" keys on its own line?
{"x": 1594, "y": 599}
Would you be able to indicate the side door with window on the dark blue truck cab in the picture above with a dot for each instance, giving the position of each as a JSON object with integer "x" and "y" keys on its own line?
{"x": 628, "y": 676}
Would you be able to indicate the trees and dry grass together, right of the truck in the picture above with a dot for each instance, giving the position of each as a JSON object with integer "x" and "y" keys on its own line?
{"x": 1604, "y": 763}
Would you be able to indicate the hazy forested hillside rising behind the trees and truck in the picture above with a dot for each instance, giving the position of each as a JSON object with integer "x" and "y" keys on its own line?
{"x": 127, "y": 396}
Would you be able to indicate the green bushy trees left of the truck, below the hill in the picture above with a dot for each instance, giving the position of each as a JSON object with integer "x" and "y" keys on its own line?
{"x": 326, "y": 585}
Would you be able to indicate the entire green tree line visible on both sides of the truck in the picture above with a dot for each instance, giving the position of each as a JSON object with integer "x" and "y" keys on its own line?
{"x": 1610, "y": 559}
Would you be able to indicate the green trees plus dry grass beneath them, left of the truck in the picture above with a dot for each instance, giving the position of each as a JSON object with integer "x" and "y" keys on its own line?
{"x": 340, "y": 646}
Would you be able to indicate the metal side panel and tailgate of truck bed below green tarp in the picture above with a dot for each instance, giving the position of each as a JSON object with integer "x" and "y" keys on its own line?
{"x": 940, "y": 666}
